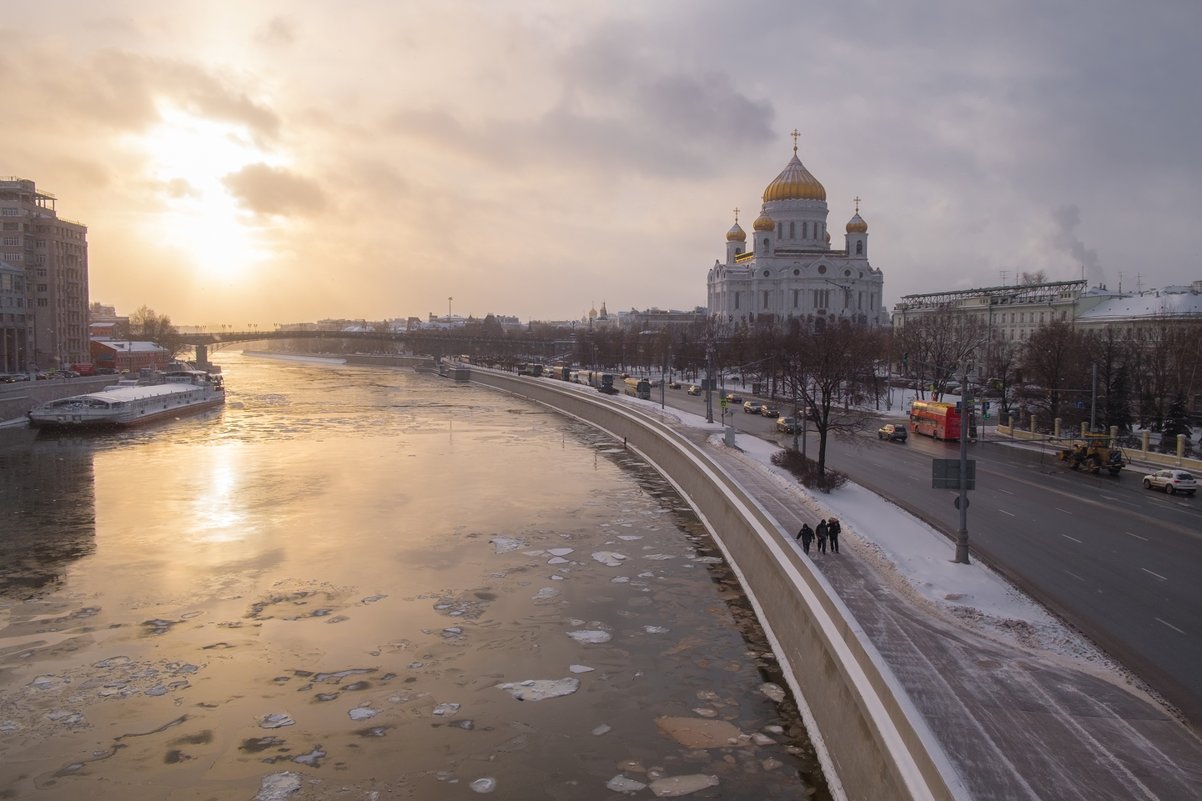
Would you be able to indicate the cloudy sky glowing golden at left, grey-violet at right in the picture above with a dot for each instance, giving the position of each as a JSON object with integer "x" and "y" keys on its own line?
{"x": 283, "y": 162}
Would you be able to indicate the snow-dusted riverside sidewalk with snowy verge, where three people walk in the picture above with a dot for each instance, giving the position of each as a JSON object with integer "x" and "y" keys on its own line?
{"x": 1021, "y": 705}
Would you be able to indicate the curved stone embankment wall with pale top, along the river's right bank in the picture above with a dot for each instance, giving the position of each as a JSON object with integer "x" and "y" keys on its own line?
{"x": 876, "y": 743}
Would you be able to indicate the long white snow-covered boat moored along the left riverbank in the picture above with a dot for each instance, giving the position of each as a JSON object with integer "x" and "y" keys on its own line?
{"x": 133, "y": 404}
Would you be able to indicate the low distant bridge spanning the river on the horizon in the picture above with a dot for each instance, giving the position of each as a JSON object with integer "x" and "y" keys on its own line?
{"x": 425, "y": 343}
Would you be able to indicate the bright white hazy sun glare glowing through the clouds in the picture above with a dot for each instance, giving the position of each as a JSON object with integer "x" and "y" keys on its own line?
{"x": 189, "y": 158}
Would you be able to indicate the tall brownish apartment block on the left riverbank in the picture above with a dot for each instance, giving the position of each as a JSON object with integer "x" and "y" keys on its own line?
{"x": 53, "y": 252}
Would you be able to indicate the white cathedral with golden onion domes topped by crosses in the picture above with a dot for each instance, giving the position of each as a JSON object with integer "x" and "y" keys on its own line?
{"x": 789, "y": 269}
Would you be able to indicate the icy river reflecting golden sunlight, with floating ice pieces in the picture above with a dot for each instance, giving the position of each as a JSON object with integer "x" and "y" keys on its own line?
{"x": 337, "y": 588}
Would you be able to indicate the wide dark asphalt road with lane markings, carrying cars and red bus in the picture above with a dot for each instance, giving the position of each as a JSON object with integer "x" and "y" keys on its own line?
{"x": 1115, "y": 561}
